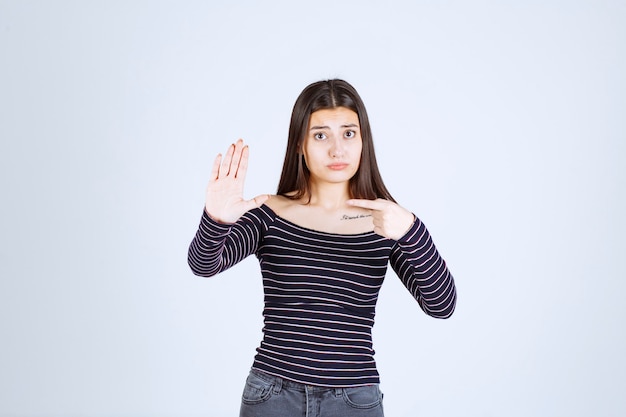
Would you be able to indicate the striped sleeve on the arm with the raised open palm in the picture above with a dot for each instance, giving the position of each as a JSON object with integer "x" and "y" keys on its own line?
{"x": 218, "y": 246}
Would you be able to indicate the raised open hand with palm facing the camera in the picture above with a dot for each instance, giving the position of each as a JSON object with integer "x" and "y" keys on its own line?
{"x": 224, "y": 194}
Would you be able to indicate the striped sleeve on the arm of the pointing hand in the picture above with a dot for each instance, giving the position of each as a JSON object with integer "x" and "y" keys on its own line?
{"x": 423, "y": 271}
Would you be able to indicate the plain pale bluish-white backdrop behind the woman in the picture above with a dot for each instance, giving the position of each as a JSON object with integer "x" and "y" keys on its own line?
{"x": 501, "y": 124}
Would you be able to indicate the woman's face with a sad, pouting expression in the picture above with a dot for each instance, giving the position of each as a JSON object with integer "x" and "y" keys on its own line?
{"x": 332, "y": 145}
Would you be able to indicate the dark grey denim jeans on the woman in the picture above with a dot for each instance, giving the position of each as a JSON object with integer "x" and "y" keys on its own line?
{"x": 269, "y": 396}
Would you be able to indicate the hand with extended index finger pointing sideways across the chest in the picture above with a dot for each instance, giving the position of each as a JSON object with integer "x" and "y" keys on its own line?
{"x": 390, "y": 220}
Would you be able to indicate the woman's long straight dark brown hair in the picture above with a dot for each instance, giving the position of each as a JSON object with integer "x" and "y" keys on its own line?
{"x": 294, "y": 181}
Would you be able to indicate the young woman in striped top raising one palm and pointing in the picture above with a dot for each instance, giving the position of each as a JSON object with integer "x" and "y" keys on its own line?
{"x": 323, "y": 243}
